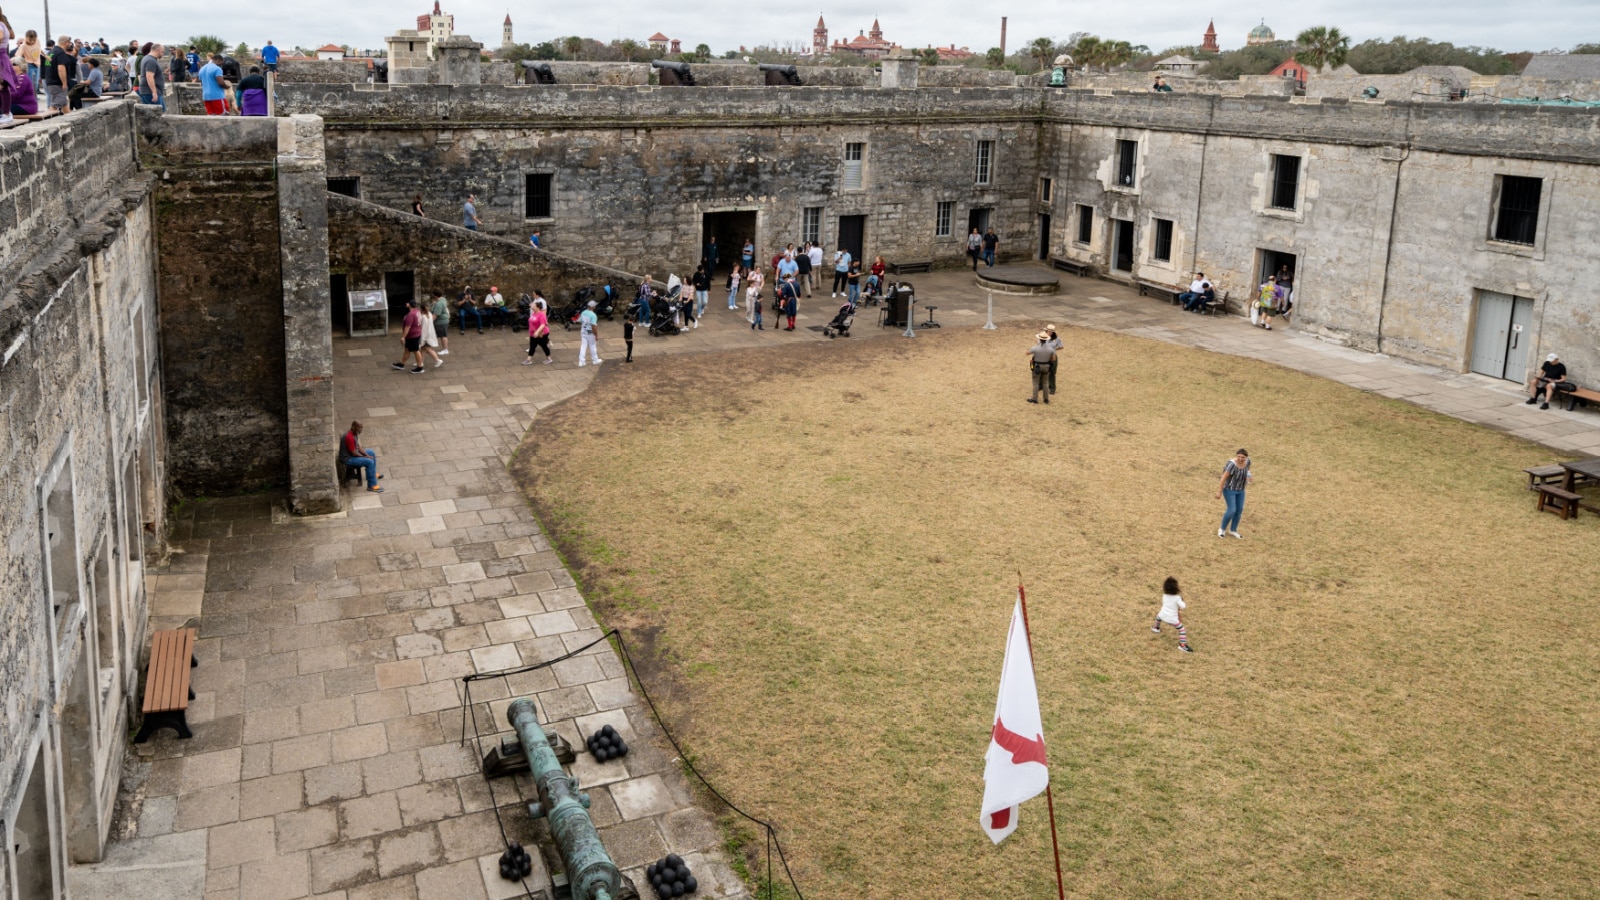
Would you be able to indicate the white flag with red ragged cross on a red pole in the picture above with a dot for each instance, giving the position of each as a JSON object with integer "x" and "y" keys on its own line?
{"x": 1015, "y": 768}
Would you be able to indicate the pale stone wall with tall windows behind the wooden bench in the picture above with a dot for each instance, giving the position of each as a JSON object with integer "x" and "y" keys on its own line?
{"x": 82, "y": 499}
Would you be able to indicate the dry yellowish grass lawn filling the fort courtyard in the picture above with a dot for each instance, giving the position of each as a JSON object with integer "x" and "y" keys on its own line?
{"x": 1394, "y": 691}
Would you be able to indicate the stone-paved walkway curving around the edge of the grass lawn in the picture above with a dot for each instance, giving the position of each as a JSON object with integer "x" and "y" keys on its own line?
{"x": 329, "y": 696}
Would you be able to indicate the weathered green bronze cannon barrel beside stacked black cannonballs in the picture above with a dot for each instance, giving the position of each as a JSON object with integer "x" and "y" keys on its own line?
{"x": 590, "y": 869}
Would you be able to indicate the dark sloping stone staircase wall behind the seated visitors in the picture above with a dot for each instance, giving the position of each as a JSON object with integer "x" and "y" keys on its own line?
{"x": 367, "y": 241}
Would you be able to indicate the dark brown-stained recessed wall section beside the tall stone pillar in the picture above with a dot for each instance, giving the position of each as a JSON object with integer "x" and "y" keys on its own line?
{"x": 222, "y": 281}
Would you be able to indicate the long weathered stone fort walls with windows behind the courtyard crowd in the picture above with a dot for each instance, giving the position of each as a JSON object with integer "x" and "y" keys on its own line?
{"x": 636, "y": 171}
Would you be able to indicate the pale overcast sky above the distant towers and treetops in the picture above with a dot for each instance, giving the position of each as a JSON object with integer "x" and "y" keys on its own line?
{"x": 726, "y": 26}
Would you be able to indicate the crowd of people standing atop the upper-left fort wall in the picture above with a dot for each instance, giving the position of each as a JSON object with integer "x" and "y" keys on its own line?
{"x": 68, "y": 73}
